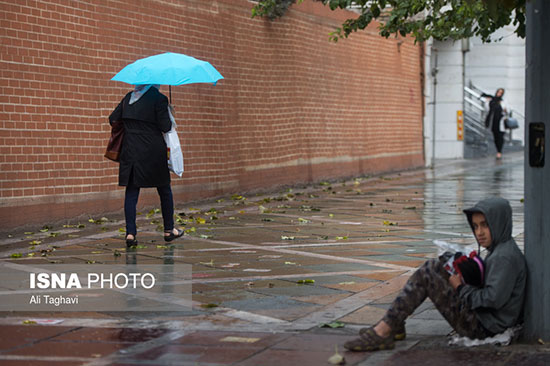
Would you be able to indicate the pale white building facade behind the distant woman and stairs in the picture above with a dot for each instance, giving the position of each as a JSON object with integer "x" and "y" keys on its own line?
{"x": 451, "y": 65}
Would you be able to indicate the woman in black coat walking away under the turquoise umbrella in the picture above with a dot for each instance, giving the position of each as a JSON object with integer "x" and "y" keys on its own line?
{"x": 143, "y": 159}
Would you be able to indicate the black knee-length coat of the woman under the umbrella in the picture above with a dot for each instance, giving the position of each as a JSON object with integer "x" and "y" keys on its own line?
{"x": 143, "y": 159}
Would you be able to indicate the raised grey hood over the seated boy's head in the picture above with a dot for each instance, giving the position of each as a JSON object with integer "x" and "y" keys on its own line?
{"x": 498, "y": 213}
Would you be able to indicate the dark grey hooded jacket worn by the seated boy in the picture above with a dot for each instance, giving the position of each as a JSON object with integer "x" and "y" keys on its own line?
{"x": 499, "y": 303}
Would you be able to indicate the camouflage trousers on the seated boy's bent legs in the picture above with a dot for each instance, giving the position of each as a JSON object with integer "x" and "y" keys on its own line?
{"x": 432, "y": 281}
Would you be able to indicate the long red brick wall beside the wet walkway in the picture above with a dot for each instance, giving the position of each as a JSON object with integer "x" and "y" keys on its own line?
{"x": 293, "y": 107}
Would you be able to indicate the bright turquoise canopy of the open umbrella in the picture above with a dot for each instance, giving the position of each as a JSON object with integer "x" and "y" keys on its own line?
{"x": 168, "y": 69}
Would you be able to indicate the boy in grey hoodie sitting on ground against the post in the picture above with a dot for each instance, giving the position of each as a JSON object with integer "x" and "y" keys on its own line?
{"x": 472, "y": 311}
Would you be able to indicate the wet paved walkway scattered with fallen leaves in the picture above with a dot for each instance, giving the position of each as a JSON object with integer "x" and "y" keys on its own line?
{"x": 279, "y": 278}
